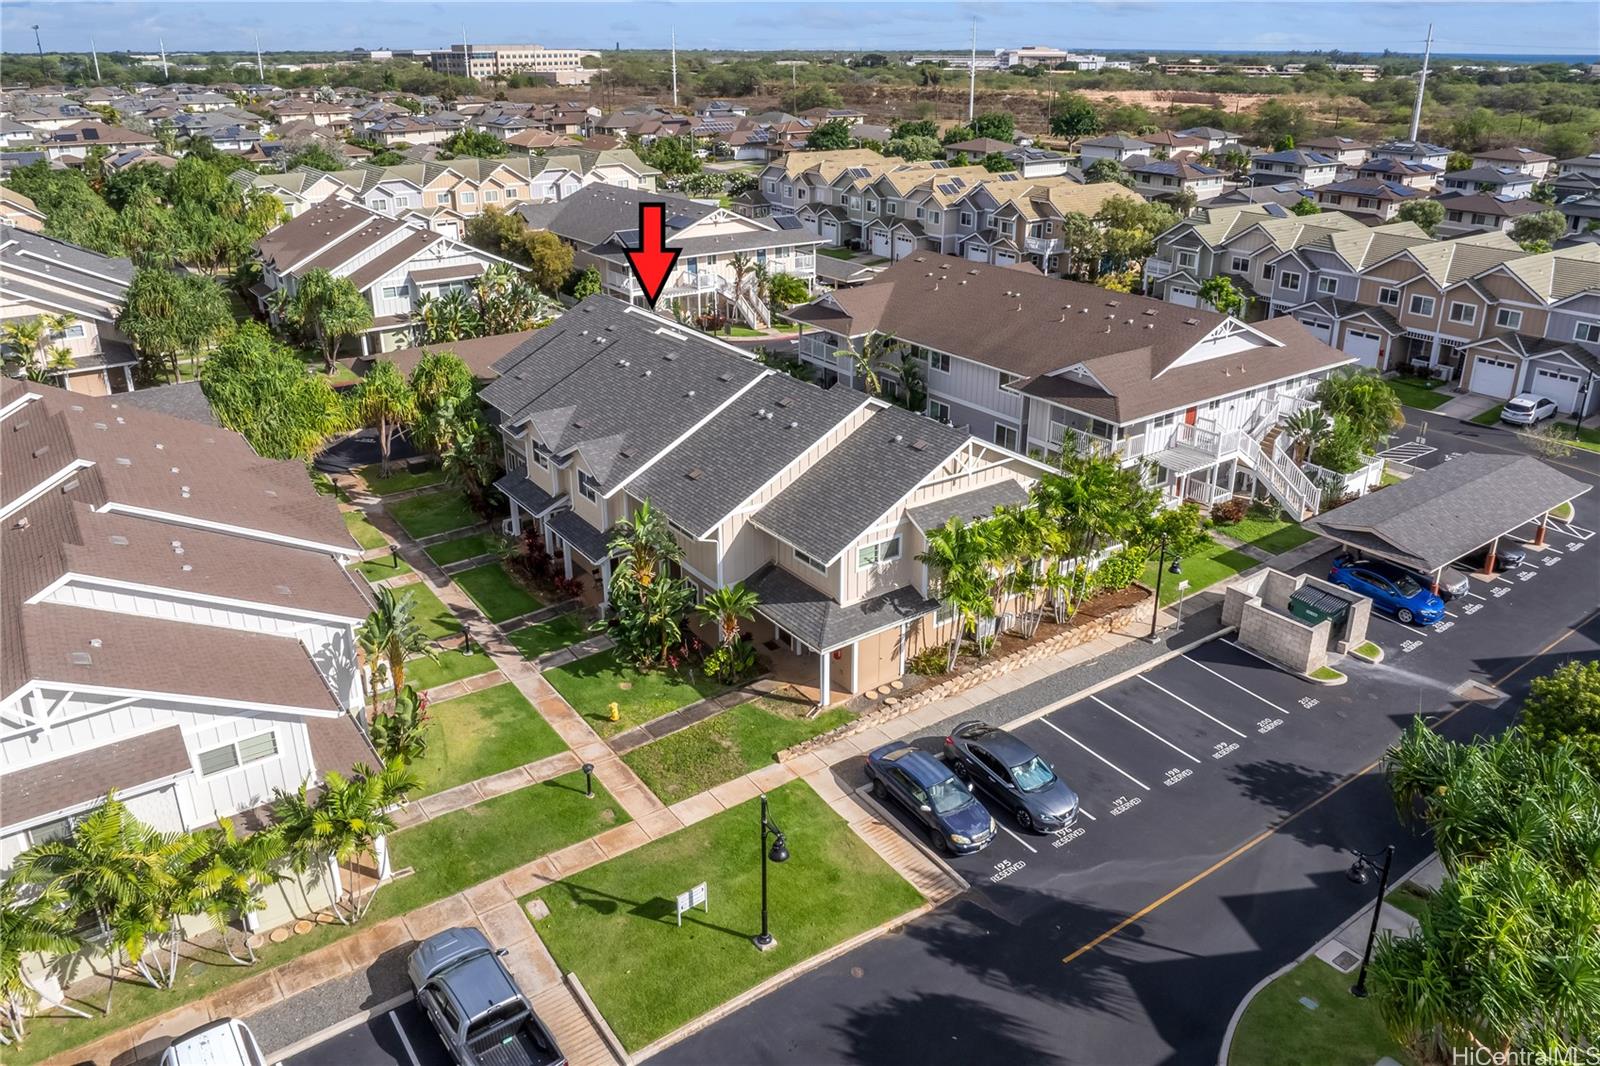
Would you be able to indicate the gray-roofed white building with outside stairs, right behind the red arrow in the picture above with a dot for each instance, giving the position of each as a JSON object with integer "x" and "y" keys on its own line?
{"x": 602, "y": 223}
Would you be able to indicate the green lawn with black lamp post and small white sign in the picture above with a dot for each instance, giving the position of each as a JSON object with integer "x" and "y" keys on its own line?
{"x": 614, "y": 924}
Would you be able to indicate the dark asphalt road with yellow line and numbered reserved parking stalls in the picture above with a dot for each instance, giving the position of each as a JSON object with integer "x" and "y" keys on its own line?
{"x": 1225, "y": 799}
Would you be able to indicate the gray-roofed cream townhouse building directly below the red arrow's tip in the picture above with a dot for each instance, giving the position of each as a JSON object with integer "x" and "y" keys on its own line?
{"x": 818, "y": 500}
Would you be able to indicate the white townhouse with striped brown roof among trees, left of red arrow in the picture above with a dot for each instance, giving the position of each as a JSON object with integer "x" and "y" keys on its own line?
{"x": 393, "y": 265}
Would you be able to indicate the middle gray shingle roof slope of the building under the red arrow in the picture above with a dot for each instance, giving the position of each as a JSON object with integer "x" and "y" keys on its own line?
{"x": 729, "y": 459}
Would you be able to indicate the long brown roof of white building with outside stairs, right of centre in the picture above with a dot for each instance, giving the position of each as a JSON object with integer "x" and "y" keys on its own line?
{"x": 1036, "y": 327}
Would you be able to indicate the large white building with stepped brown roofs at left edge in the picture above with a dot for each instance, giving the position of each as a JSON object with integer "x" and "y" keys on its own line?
{"x": 177, "y": 615}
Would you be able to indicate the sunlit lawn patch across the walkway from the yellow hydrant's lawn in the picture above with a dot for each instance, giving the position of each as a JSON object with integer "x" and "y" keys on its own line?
{"x": 481, "y": 734}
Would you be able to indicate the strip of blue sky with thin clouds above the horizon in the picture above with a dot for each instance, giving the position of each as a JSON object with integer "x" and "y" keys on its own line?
{"x": 1462, "y": 28}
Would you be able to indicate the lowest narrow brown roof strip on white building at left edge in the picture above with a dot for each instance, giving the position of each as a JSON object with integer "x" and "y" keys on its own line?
{"x": 84, "y": 777}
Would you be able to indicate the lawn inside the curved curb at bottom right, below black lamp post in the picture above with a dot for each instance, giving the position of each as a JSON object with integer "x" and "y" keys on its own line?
{"x": 1278, "y": 1030}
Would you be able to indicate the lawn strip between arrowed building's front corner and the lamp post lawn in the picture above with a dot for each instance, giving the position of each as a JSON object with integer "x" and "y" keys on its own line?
{"x": 724, "y": 748}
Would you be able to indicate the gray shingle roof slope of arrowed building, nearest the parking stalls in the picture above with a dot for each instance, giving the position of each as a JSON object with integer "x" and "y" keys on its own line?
{"x": 855, "y": 484}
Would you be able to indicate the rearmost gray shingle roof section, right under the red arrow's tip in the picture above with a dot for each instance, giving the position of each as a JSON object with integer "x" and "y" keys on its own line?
{"x": 585, "y": 382}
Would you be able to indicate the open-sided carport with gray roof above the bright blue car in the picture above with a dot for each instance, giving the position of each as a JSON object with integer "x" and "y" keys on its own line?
{"x": 1442, "y": 515}
